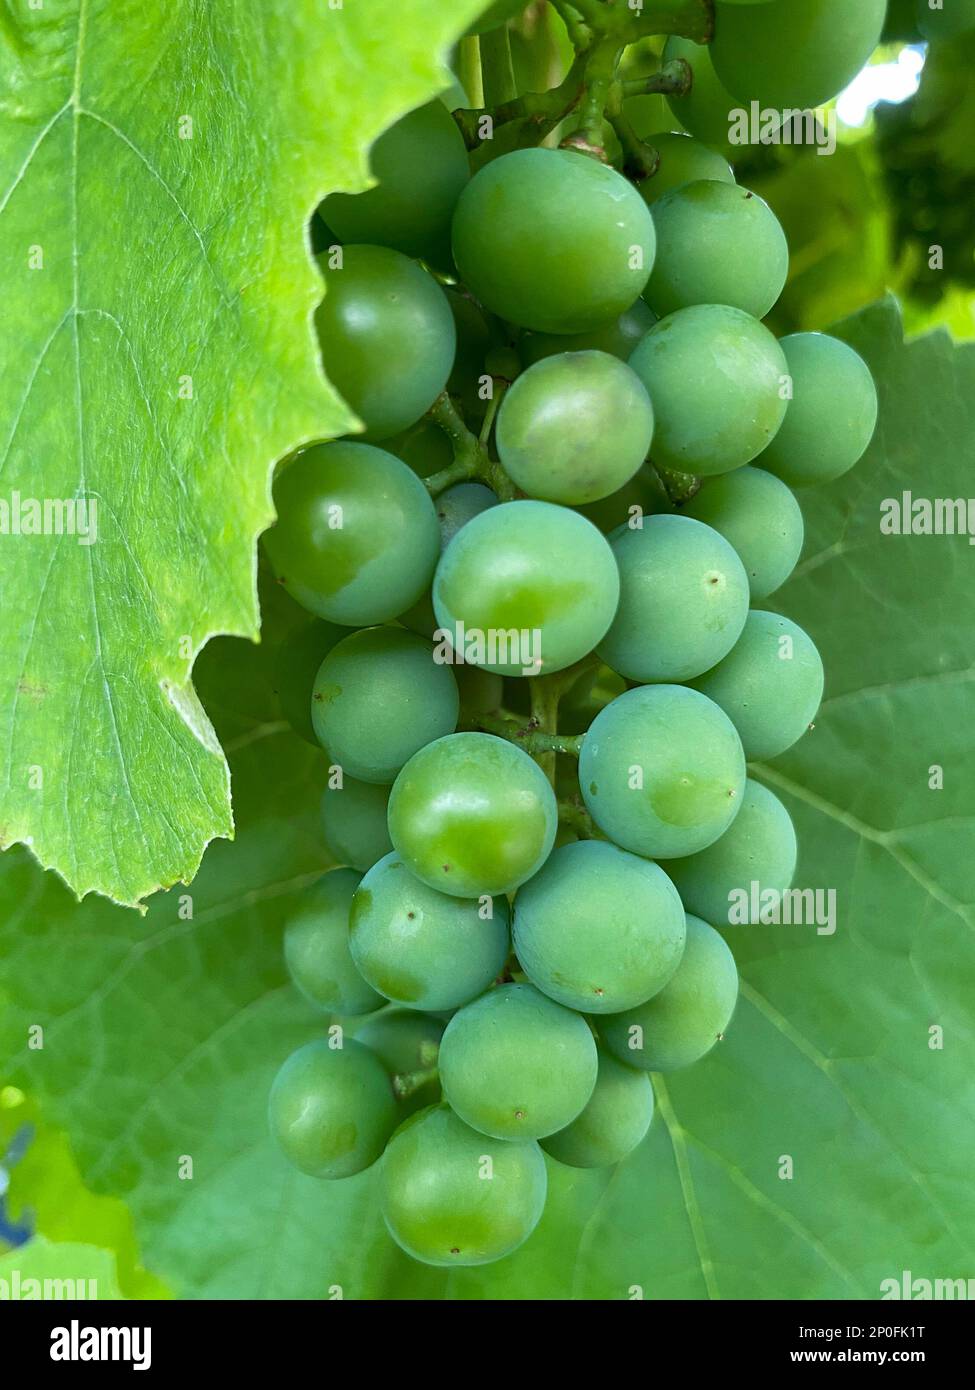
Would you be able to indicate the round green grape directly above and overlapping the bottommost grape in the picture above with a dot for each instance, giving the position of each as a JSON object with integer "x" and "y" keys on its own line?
{"x": 517, "y": 1065}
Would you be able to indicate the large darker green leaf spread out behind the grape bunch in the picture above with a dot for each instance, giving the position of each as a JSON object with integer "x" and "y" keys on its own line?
{"x": 162, "y": 1038}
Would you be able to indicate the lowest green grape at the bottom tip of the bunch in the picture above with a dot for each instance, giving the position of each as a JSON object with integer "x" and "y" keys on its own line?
{"x": 453, "y": 1197}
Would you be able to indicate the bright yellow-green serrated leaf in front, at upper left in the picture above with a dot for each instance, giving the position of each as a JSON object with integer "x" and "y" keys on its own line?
{"x": 158, "y": 358}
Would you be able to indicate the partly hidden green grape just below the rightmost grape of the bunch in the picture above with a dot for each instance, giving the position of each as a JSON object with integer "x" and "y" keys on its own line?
{"x": 760, "y": 518}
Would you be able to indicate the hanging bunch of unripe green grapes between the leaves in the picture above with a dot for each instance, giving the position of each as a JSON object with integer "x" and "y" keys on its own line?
{"x": 577, "y": 427}
